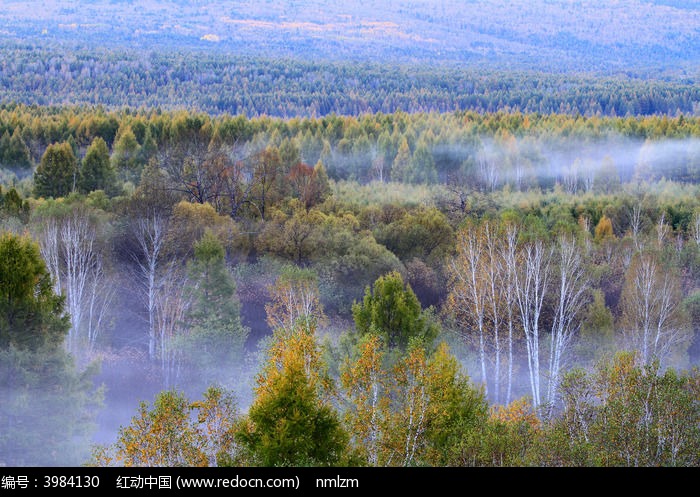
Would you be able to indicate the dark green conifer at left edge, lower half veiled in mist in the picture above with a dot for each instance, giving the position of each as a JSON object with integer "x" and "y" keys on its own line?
{"x": 48, "y": 407}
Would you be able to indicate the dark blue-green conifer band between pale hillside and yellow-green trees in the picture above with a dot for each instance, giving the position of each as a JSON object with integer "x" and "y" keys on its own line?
{"x": 220, "y": 83}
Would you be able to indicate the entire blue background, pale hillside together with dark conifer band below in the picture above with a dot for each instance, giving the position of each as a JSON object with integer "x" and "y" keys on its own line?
{"x": 313, "y": 58}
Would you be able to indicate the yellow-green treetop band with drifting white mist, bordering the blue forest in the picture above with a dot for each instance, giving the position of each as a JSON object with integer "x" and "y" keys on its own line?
{"x": 481, "y": 151}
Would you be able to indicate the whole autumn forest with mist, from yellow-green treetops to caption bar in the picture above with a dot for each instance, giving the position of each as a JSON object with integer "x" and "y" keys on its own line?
{"x": 404, "y": 289}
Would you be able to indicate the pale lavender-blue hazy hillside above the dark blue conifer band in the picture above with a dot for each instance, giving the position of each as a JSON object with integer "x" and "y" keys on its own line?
{"x": 660, "y": 36}
